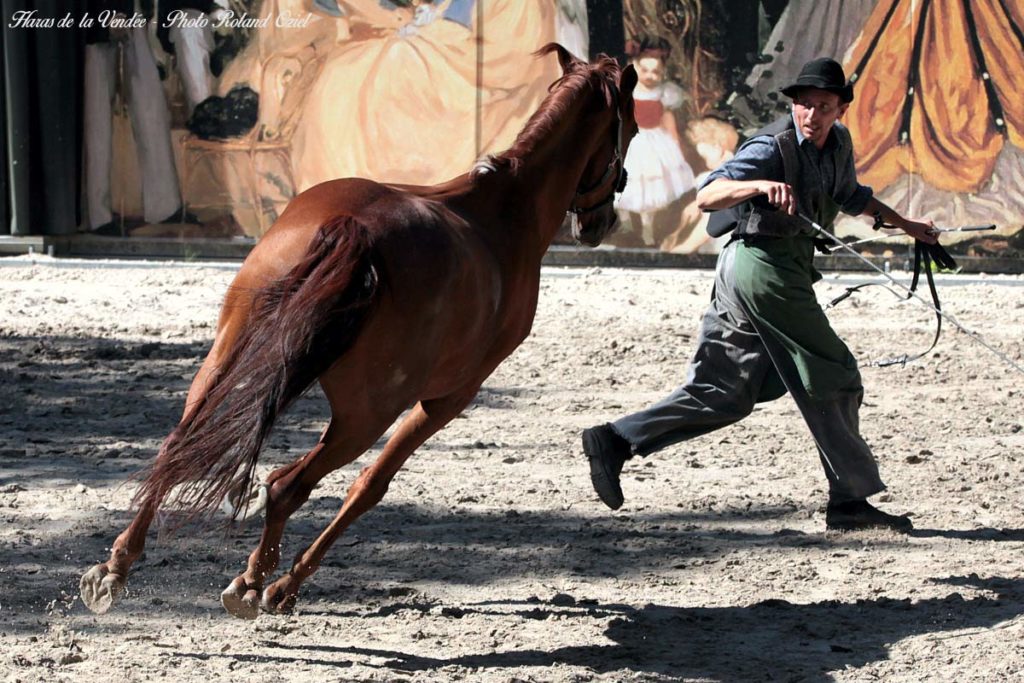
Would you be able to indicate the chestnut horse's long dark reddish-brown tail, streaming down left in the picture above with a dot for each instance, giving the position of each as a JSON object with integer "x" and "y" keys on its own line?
{"x": 298, "y": 327}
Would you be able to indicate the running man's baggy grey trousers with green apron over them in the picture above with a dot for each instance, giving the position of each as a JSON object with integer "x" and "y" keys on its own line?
{"x": 764, "y": 335}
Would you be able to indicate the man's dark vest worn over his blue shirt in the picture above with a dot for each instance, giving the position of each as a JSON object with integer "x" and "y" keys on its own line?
{"x": 758, "y": 218}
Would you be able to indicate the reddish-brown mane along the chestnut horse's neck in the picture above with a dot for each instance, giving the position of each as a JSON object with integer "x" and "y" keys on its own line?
{"x": 563, "y": 94}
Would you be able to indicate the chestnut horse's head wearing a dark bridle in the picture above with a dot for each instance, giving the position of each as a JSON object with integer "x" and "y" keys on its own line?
{"x": 615, "y": 125}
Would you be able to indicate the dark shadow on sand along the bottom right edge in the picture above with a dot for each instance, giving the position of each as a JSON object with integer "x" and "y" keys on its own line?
{"x": 808, "y": 642}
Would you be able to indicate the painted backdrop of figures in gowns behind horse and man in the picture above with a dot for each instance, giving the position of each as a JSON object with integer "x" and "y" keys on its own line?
{"x": 414, "y": 92}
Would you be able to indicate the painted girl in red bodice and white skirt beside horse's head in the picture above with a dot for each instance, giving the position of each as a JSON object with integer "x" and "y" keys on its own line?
{"x": 659, "y": 176}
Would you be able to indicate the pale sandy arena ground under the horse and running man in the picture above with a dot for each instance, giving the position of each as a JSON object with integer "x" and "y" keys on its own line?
{"x": 491, "y": 560}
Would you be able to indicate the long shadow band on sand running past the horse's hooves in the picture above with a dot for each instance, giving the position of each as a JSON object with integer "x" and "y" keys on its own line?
{"x": 383, "y": 550}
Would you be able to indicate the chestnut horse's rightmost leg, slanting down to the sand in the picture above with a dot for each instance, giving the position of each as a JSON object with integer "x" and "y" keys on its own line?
{"x": 368, "y": 490}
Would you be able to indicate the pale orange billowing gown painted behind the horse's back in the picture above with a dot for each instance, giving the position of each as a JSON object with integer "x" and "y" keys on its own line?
{"x": 401, "y": 105}
